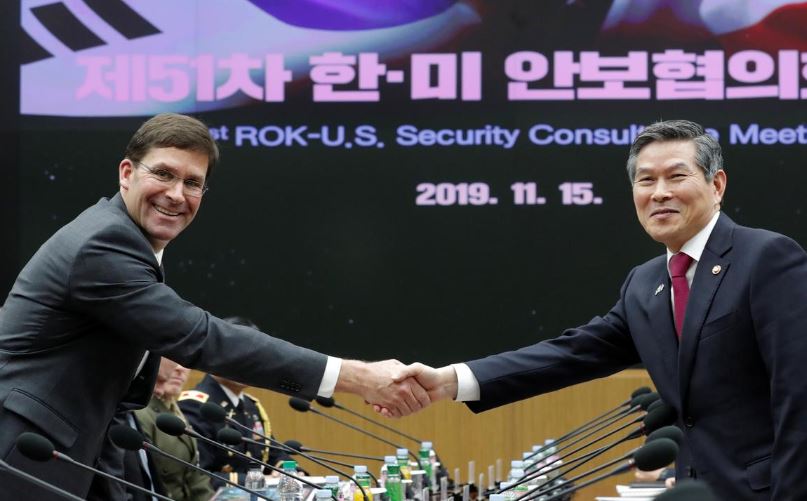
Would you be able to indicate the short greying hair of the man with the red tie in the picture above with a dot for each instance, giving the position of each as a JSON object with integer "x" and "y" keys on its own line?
{"x": 708, "y": 155}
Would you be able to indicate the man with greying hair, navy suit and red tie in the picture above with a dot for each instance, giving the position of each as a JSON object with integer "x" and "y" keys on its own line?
{"x": 719, "y": 323}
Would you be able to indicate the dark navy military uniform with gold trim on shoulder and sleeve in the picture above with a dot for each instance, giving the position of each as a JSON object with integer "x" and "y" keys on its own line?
{"x": 249, "y": 412}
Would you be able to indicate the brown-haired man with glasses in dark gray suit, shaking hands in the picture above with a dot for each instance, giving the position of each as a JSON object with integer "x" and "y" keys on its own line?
{"x": 85, "y": 324}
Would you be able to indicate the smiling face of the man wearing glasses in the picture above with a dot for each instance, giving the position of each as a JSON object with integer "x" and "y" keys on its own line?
{"x": 162, "y": 210}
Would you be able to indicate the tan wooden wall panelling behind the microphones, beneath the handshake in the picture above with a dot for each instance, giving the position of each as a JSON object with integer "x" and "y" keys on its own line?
{"x": 458, "y": 434}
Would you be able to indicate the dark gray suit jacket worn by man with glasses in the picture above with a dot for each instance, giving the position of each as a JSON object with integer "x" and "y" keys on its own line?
{"x": 75, "y": 326}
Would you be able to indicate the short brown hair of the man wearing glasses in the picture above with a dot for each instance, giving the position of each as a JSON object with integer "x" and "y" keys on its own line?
{"x": 172, "y": 130}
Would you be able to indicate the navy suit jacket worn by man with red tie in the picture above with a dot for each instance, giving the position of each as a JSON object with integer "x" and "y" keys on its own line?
{"x": 738, "y": 379}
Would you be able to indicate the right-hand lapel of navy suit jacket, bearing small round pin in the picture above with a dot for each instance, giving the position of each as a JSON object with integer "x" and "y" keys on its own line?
{"x": 712, "y": 267}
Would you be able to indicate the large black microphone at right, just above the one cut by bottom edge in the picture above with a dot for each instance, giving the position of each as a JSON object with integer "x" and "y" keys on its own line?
{"x": 651, "y": 456}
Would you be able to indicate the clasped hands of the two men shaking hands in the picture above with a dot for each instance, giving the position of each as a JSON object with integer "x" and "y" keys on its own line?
{"x": 395, "y": 389}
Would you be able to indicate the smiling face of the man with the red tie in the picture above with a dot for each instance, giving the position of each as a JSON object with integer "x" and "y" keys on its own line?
{"x": 673, "y": 199}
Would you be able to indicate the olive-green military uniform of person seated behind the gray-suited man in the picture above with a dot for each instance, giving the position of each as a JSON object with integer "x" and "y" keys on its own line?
{"x": 178, "y": 482}
